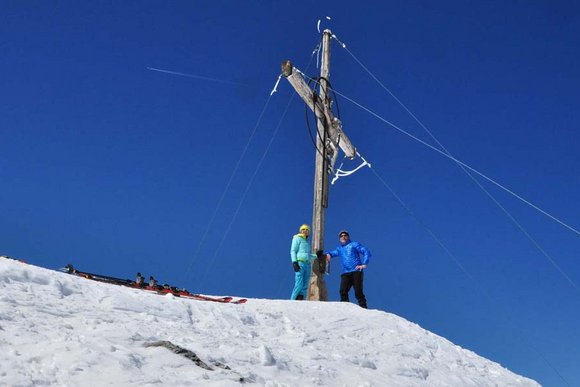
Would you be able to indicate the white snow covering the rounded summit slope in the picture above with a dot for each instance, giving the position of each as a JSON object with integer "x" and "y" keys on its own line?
{"x": 61, "y": 330}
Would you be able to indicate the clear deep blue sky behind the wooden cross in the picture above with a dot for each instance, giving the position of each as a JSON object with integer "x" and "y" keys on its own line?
{"x": 117, "y": 169}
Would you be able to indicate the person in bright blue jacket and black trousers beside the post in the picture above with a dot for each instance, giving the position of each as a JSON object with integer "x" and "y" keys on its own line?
{"x": 354, "y": 258}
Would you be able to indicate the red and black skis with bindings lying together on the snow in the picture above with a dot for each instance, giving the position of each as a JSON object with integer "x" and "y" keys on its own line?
{"x": 161, "y": 290}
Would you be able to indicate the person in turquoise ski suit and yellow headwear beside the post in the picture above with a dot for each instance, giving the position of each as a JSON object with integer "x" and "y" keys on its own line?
{"x": 301, "y": 254}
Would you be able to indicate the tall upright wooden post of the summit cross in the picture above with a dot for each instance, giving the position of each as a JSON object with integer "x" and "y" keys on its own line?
{"x": 317, "y": 288}
